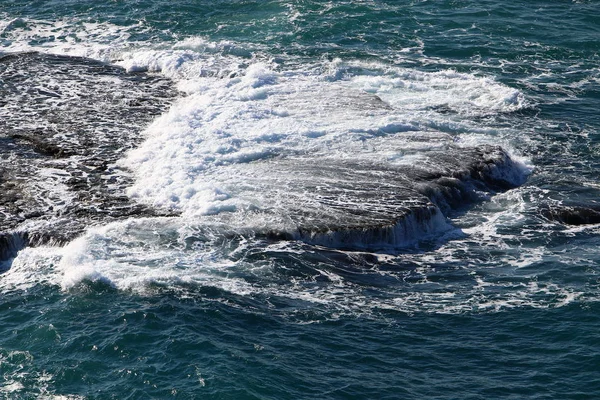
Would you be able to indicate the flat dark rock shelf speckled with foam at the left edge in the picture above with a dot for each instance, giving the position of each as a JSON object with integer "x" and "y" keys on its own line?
{"x": 65, "y": 122}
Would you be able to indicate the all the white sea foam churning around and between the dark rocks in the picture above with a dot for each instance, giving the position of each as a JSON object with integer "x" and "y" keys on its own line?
{"x": 240, "y": 109}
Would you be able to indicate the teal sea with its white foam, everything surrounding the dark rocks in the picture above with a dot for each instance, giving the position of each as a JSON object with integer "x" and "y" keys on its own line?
{"x": 504, "y": 305}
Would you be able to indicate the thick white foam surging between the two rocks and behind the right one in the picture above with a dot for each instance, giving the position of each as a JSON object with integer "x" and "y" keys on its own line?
{"x": 264, "y": 112}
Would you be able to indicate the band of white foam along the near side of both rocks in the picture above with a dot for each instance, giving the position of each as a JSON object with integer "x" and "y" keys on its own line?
{"x": 136, "y": 255}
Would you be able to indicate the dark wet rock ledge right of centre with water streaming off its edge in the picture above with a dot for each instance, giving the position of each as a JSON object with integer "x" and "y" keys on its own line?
{"x": 360, "y": 204}
